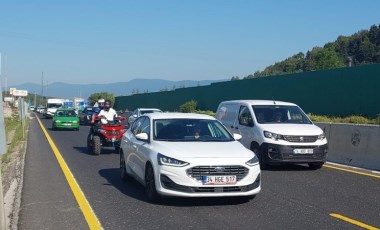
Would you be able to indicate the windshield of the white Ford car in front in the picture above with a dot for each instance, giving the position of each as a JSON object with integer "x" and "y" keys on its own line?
{"x": 189, "y": 130}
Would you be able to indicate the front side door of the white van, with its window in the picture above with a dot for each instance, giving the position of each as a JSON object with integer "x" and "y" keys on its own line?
{"x": 245, "y": 125}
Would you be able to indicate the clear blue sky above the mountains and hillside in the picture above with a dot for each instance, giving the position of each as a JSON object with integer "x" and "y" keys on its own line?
{"x": 86, "y": 42}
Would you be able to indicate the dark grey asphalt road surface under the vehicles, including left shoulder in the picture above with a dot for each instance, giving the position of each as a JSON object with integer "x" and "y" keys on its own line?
{"x": 292, "y": 197}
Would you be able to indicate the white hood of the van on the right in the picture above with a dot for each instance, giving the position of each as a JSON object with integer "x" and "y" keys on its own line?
{"x": 293, "y": 129}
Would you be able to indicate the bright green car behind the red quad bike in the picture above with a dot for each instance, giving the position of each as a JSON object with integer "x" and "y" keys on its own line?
{"x": 65, "y": 119}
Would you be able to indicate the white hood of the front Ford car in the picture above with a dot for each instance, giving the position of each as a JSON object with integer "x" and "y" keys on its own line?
{"x": 233, "y": 149}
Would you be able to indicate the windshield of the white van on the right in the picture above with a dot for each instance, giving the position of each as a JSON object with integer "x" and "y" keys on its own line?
{"x": 274, "y": 114}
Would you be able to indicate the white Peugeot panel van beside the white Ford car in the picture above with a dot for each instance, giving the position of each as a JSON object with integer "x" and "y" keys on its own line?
{"x": 278, "y": 132}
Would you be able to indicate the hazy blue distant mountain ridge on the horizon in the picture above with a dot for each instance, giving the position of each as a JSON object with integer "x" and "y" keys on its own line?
{"x": 65, "y": 90}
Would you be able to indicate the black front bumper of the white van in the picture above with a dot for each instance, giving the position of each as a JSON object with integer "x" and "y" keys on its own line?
{"x": 273, "y": 153}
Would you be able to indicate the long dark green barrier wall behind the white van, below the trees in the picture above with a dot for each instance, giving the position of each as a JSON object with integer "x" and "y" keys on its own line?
{"x": 337, "y": 92}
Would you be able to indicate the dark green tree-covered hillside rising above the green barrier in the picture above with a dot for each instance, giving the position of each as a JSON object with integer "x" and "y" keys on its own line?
{"x": 360, "y": 48}
